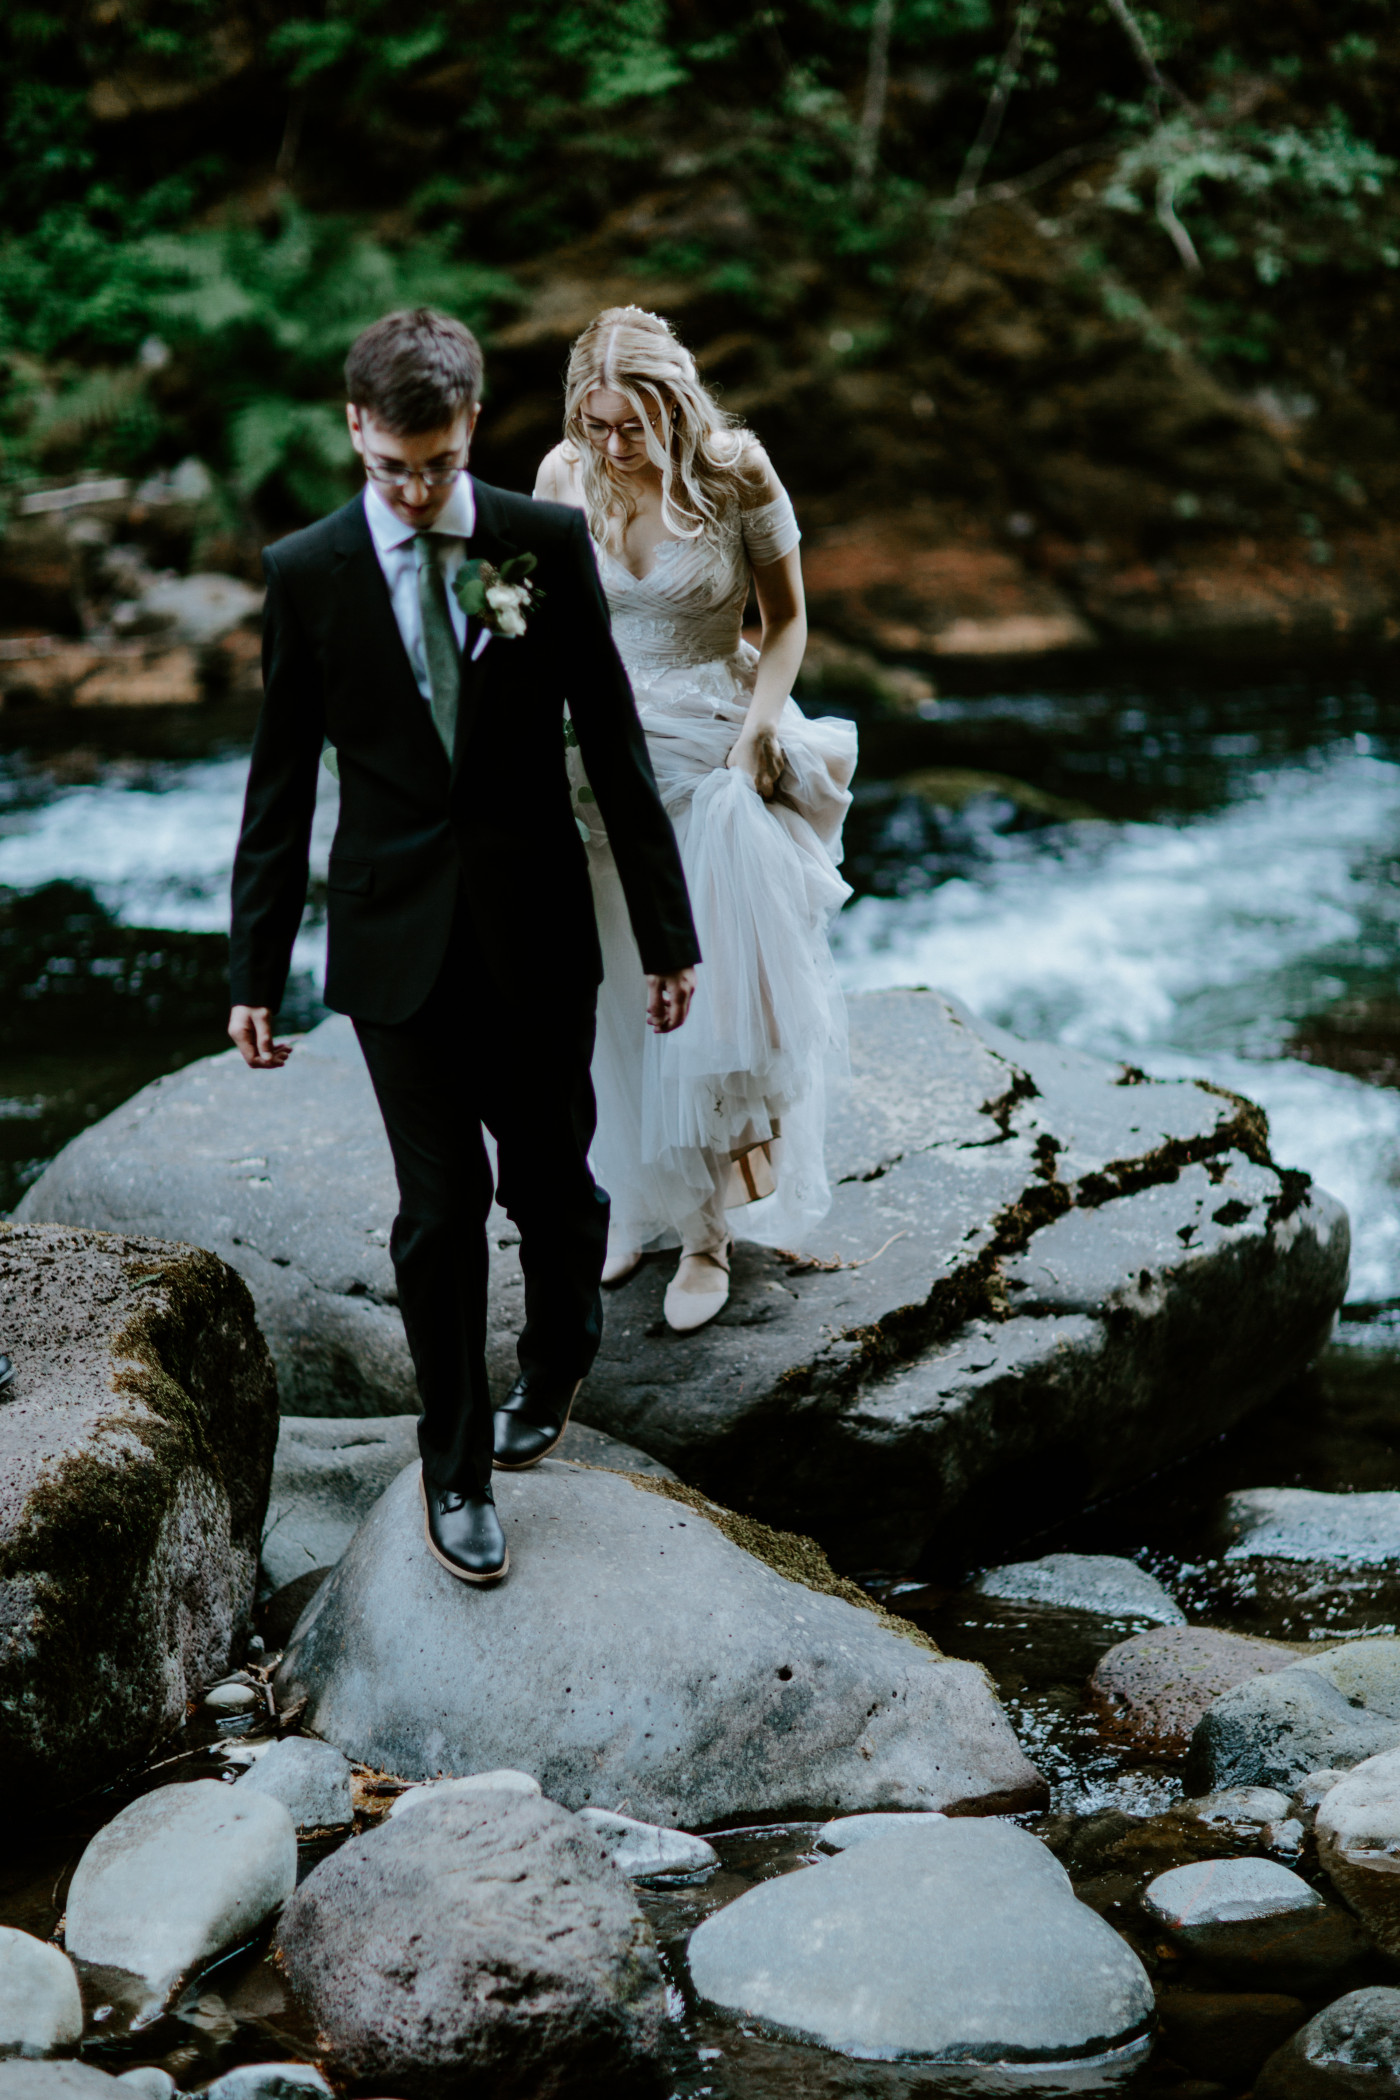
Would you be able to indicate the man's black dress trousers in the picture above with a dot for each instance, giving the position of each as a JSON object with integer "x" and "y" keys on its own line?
{"x": 465, "y": 1059}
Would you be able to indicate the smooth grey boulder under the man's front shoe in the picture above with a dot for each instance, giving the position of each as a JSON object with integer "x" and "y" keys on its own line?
{"x": 637, "y": 1656}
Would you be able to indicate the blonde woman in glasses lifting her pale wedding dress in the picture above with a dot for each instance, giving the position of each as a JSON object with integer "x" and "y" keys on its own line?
{"x": 727, "y": 1112}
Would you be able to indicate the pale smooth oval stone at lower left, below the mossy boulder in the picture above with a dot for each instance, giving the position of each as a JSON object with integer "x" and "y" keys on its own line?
{"x": 179, "y": 1878}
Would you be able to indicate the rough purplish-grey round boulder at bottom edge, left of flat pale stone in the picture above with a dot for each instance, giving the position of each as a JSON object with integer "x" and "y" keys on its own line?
{"x": 478, "y": 1946}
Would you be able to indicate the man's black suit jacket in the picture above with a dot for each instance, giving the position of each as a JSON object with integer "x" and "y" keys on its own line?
{"x": 417, "y": 837}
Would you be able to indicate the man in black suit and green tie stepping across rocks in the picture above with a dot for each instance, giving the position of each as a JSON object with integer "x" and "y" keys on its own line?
{"x": 431, "y": 633}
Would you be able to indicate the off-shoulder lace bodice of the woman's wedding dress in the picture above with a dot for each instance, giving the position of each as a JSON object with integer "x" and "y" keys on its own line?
{"x": 690, "y": 606}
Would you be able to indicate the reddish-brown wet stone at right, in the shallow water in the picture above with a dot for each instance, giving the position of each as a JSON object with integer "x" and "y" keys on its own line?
{"x": 1155, "y": 1687}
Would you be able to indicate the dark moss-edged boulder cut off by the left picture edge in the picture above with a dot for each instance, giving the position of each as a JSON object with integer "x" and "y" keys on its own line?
{"x": 135, "y": 1456}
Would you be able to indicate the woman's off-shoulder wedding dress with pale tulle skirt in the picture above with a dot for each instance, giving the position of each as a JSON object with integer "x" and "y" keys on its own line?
{"x": 727, "y": 1110}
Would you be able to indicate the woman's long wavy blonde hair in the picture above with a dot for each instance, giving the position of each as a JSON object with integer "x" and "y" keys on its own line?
{"x": 641, "y": 358}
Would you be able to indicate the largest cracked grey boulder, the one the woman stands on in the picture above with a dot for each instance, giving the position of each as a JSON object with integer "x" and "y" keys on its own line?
{"x": 1040, "y": 1280}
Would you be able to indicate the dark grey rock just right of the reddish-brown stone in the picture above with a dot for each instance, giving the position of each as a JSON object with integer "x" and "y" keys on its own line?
{"x": 1273, "y": 1731}
